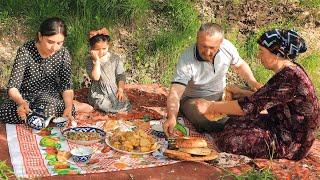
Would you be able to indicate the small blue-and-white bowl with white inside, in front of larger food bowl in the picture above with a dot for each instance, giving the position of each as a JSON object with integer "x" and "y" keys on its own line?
{"x": 81, "y": 154}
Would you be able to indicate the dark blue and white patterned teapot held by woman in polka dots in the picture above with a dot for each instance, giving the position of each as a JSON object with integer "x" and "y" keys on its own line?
{"x": 37, "y": 120}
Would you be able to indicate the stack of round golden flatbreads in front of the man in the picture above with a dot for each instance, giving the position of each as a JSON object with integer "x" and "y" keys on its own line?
{"x": 190, "y": 149}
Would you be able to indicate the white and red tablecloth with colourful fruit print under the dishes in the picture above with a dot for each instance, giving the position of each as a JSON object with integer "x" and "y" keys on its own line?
{"x": 34, "y": 154}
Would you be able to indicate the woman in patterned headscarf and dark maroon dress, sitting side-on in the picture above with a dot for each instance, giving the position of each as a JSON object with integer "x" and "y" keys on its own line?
{"x": 289, "y": 128}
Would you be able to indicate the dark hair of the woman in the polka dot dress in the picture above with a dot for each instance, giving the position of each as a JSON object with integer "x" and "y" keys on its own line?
{"x": 53, "y": 26}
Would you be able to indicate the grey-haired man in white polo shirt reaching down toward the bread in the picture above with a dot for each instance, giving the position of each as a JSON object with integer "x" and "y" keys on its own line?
{"x": 201, "y": 73}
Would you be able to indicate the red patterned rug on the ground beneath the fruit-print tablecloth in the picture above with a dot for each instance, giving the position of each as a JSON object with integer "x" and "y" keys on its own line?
{"x": 308, "y": 167}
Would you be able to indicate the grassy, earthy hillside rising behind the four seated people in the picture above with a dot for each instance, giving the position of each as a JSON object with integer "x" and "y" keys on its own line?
{"x": 150, "y": 35}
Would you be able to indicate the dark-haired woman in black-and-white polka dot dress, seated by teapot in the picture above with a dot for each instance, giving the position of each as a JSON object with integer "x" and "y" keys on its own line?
{"x": 41, "y": 76}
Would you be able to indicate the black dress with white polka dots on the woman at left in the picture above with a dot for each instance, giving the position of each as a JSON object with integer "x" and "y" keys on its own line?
{"x": 40, "y": 81}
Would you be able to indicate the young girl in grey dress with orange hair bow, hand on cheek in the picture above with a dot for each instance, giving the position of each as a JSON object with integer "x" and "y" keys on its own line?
{"x": 107, "y": 74}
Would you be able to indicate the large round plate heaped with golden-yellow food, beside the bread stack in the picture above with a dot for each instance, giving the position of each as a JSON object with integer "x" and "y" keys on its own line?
{"x": 132, "y": 142}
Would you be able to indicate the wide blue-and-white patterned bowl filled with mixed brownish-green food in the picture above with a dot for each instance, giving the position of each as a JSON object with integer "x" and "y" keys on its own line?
{"x": 84, "y": 135}
